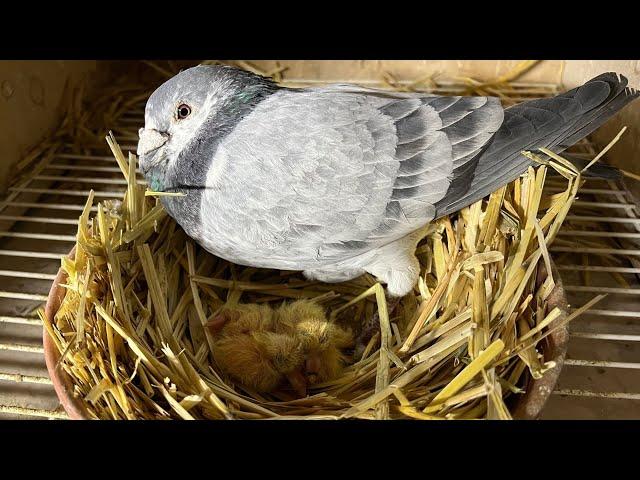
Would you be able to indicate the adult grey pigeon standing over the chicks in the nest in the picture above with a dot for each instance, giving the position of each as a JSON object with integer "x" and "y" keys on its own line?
{"x": 340, "y": 180}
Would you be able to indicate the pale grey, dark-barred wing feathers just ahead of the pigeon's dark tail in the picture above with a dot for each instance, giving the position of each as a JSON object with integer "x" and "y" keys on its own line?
{"x": 435, "y": 137}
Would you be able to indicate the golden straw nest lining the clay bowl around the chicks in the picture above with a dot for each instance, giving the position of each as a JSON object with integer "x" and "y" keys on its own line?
{"x": 130, "y": 329}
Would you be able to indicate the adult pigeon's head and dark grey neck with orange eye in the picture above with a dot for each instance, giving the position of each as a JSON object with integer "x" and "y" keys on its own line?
{"x": 192, "y": 112}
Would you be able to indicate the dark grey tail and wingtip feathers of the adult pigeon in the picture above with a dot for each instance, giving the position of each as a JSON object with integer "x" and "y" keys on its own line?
{"x": 555, "y": 123}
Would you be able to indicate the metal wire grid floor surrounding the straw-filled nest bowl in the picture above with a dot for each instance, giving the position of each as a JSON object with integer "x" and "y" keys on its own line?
{"x": 38, "y": 219}
